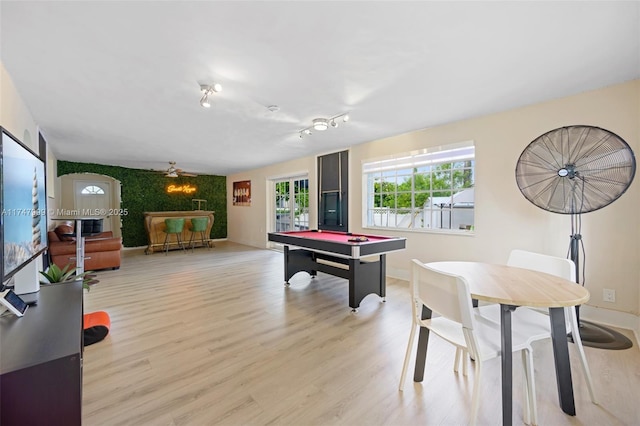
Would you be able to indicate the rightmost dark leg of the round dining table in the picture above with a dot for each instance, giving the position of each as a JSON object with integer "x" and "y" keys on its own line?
{"x": 561, "y": 359}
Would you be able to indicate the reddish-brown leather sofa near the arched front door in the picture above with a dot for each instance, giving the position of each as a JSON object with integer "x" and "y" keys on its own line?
{"x": 101, "y": 250}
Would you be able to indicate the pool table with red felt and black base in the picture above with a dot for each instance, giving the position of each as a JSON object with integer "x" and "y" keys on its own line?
{"x": 339, "y": 254}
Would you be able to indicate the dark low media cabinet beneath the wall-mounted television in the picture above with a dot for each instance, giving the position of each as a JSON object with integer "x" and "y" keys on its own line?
{"x": 41, "y": 360}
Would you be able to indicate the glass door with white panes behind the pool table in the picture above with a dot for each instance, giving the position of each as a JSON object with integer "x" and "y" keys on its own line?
{"x": 291, "y": 204}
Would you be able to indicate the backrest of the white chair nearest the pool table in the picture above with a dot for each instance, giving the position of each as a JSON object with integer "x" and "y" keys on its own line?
{"x": 446, "y": 294}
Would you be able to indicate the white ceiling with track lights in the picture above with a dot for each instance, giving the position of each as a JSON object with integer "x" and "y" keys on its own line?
{"x": 117, "y": 82}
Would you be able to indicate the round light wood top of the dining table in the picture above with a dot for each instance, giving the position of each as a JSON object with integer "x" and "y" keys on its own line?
{"x": 509, "y": 285}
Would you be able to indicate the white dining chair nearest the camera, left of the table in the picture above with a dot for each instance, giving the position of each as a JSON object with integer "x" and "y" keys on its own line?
{"x": 459, "y": 324}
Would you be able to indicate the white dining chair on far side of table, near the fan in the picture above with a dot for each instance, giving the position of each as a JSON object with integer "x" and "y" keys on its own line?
{"x": 535, "y": 323}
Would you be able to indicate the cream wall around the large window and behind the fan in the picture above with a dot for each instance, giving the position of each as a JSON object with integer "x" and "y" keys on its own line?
{"x": 504, "y": 218}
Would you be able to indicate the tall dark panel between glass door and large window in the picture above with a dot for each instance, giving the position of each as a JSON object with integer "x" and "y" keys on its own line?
{"x": 333, "y": 191}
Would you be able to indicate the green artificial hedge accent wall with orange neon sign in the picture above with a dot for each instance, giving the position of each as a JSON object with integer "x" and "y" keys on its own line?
{"x": 145, "y": 191}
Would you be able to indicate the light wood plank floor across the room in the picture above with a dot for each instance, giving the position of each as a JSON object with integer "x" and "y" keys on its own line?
{"x": 213, "y": 337}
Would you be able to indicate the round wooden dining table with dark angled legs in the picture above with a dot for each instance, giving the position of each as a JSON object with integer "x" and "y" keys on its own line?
{"x": 513, "y": 287}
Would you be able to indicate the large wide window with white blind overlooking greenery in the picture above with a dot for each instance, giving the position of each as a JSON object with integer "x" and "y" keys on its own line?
{"x": 429, "y": 189}
